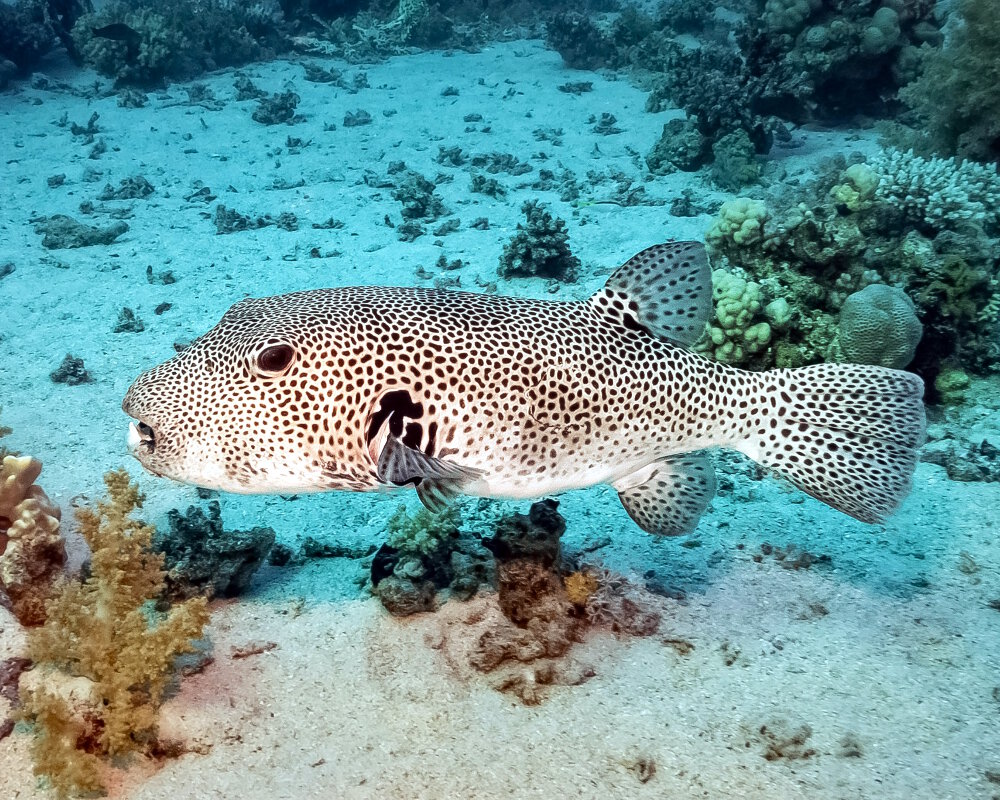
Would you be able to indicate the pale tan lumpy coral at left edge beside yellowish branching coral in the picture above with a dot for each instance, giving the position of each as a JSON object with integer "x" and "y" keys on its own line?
{"x": 32, "y": 552}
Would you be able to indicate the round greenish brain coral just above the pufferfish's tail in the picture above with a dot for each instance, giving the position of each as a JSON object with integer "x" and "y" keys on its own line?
{"x": 879, "y": 325}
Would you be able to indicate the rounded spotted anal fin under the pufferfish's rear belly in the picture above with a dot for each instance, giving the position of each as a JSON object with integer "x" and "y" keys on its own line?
{"x": 669, "y": 496}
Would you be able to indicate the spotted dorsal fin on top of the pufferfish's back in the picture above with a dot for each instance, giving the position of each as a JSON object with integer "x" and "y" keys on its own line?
{"x": 666, "y": 290}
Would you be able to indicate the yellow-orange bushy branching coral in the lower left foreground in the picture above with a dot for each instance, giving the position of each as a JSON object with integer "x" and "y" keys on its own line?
{"x": 104, "y": 656}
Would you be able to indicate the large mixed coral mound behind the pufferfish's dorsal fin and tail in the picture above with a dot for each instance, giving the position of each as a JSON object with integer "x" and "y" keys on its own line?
{"x": 928, "y": 227}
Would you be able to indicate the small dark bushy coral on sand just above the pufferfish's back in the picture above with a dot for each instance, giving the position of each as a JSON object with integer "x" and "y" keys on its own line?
{"x": 540, "y": 248}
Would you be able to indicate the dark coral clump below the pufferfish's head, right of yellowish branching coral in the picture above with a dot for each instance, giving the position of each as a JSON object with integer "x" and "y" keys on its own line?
{"x": 201, "y": 558}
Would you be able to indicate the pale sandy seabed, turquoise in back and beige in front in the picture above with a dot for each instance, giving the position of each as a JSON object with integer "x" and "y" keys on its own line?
{"x": 355, "y": 704}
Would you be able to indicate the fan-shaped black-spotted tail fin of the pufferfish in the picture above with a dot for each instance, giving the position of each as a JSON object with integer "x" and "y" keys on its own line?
{"x": 847, "y": 434}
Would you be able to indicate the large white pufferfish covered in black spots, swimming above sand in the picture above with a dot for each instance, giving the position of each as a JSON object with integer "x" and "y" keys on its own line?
{"x": 458, "y": 393}
